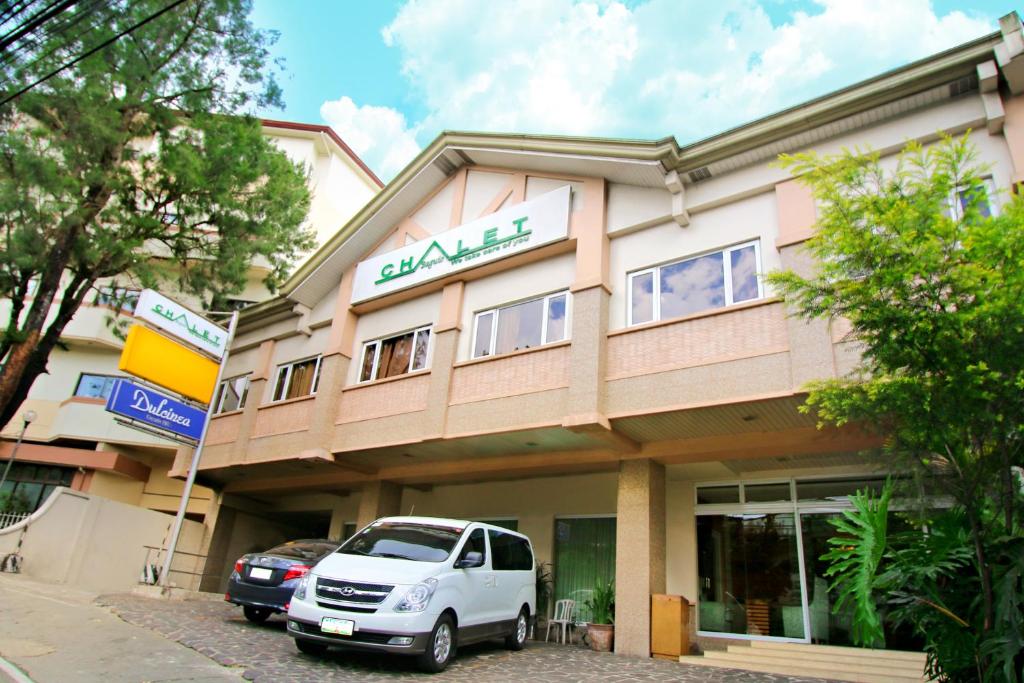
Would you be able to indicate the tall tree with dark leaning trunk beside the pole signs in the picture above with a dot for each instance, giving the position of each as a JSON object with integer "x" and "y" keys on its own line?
{"x": 140, "y": 162}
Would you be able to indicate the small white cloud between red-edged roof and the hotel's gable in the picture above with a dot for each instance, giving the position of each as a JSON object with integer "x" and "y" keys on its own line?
{"x": 378, "y": 135}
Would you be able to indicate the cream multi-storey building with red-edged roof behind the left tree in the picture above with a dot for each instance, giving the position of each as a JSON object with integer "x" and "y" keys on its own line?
{"x": 73, "y": 442}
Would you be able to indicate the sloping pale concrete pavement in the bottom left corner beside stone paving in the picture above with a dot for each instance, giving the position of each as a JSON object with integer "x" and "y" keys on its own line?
{"x": 57, "y": 634}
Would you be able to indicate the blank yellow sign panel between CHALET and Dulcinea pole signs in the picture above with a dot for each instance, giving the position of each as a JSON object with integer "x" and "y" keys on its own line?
{"x": 161, "y": 361}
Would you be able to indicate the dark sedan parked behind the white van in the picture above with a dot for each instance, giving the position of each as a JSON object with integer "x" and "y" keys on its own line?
{"x": 264, "y": 583}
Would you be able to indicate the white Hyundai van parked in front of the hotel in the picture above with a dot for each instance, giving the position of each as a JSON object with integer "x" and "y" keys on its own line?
{"x": 418, "y": 586}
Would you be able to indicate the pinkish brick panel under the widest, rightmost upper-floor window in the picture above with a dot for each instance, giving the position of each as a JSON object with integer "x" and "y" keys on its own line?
{"x": 699, "y": 341}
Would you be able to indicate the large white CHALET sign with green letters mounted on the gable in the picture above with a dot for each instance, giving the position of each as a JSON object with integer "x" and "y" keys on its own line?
{"x": 513, "y": 231}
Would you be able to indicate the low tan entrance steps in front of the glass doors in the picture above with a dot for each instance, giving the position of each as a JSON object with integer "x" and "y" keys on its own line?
{"x": 837, "y": 664}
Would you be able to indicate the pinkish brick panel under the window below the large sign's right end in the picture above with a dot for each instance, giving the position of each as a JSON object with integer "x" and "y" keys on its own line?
{"x": 510, "y": 376}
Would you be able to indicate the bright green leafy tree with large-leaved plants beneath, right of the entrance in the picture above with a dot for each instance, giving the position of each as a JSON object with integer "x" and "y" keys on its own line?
{"x": 933, "y": 288}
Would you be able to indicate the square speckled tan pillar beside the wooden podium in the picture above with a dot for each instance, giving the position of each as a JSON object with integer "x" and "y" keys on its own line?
{"x": 639, "y": 552}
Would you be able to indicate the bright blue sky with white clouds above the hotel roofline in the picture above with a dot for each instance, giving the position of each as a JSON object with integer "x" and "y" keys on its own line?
{"x": 391, "y": 75}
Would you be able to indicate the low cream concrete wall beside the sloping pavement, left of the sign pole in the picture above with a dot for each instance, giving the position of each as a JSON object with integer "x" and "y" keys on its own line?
{"x": 95, "y": 543}
